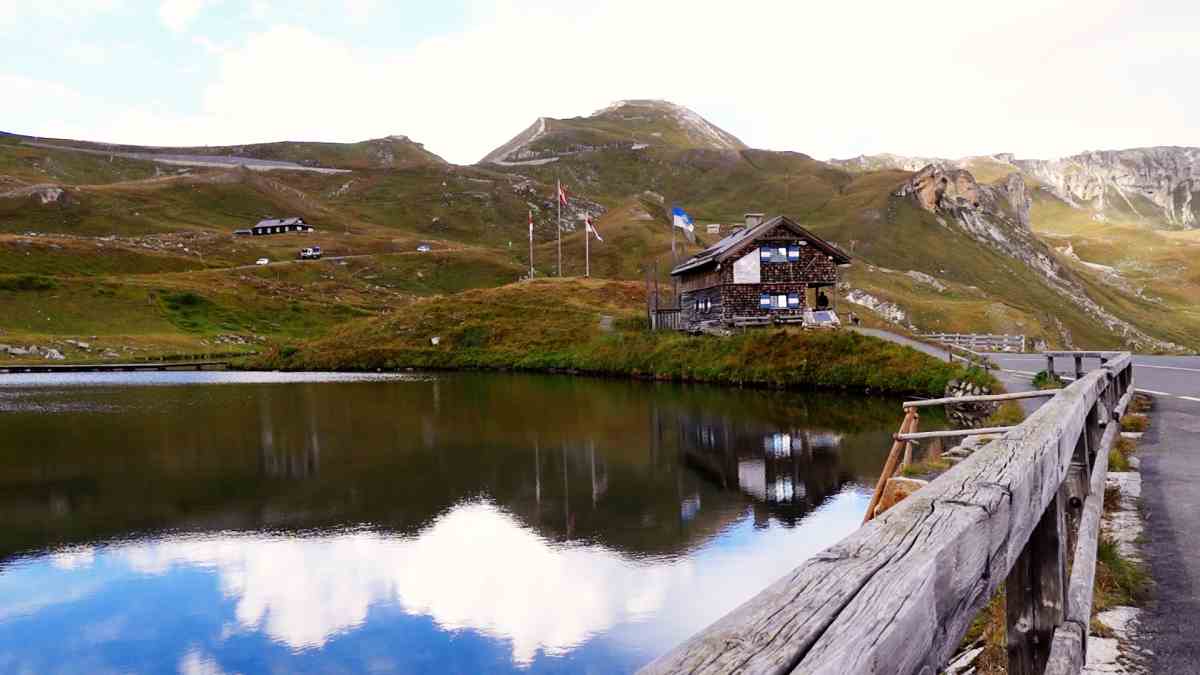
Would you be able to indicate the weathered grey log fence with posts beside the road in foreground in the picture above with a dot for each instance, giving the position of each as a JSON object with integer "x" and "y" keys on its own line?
{"x": 899, "y": 594}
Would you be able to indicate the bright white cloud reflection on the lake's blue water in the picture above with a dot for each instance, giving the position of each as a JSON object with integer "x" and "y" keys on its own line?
{"x": 478, "y": 569}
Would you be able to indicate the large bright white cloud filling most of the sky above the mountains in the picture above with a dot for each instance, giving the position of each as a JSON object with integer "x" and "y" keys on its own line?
{"x": 829, "y": 80}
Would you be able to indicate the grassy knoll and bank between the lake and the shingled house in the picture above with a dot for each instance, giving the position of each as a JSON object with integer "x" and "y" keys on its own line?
{"x": 595, "y": 328}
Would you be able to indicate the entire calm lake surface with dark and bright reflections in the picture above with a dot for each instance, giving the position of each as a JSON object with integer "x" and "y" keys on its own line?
{"x": 267, "y": 523}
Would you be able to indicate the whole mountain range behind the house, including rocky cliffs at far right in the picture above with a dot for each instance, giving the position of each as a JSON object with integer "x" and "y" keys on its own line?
{"x": 994, "y": 249}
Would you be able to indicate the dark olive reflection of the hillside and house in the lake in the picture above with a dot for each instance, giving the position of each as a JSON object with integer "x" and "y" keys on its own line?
{"x": 620, "y": 464}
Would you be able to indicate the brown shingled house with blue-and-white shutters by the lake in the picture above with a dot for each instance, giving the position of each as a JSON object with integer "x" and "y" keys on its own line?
{"x": 772, "y": 271}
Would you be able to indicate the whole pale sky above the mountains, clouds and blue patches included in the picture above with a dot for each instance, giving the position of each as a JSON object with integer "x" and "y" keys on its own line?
{"x": 831, "y": 80}
